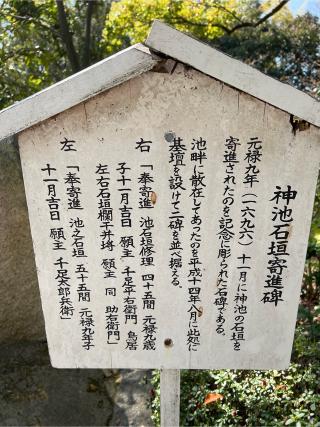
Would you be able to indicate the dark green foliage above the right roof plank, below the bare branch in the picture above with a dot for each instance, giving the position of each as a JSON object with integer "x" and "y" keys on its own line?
{"x": 287, "y": 50}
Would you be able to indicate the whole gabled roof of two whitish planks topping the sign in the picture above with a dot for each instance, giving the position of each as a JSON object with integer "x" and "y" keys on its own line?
{"x": 136, "y": 60}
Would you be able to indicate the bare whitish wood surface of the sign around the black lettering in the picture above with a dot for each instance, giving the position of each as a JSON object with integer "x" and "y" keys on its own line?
{"x": 157, "y": 106}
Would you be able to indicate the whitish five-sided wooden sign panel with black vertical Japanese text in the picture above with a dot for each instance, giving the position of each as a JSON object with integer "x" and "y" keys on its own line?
{"x": 170, "y": 219}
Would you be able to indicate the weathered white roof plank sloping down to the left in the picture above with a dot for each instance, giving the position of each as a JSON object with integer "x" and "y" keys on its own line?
{"x": 79, "y": 87}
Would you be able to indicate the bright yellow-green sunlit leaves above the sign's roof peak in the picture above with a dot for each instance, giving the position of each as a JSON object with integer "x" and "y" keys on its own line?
{"x": 130, "y": 21}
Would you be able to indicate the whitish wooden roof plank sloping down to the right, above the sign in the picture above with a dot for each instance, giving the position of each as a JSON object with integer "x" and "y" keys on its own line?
{"x": 204, "y": 58}
